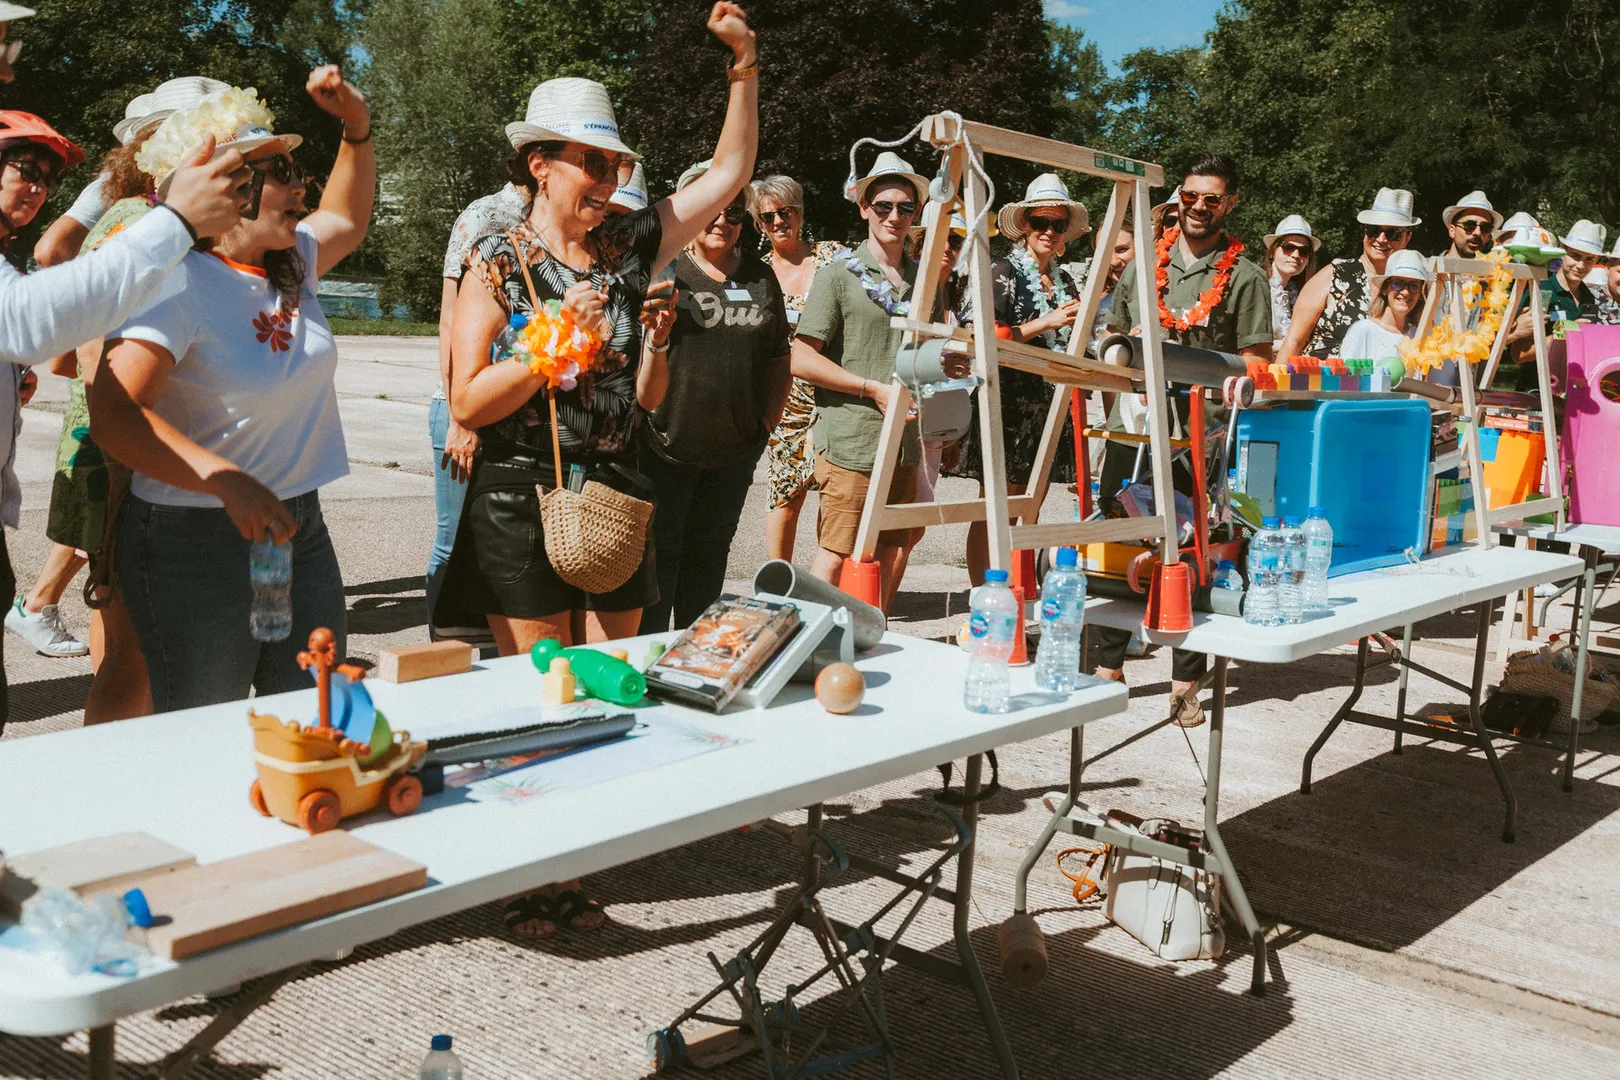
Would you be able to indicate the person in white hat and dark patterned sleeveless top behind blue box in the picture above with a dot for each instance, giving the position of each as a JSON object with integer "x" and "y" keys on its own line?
{"x": 1337, "y": 297}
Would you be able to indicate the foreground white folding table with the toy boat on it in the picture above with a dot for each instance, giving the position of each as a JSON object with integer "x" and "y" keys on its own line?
{"x": 184, "y": 778}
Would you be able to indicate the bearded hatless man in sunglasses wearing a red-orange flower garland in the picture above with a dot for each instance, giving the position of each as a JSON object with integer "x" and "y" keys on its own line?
{"x": 1238, "y": 321}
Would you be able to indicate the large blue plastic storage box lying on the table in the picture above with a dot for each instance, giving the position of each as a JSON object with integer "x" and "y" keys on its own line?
{"x": 1366, "y": 464}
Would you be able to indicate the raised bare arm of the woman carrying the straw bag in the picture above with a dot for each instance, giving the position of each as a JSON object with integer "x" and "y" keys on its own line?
{"x": 689, "y": 211}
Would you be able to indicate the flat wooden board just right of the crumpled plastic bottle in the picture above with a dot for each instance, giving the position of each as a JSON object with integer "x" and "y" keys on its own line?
{"x": 207, "y": 908}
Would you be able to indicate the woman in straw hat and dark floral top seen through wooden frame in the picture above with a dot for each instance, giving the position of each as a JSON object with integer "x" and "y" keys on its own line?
{"x": 1038, "y": 304}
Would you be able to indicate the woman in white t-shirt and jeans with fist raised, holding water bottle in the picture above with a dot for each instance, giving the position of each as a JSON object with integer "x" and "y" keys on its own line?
{"x": 221, "y": 398}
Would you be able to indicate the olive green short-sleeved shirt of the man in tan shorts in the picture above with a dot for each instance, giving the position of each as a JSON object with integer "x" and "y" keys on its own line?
{"x": 856, "y": 336}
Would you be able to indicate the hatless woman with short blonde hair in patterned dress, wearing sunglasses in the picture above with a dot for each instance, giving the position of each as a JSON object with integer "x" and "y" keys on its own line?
{"x": 790, "y": 467}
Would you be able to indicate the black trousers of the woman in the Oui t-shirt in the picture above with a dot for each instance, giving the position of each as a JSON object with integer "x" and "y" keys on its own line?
{"x": 693, "y": 530}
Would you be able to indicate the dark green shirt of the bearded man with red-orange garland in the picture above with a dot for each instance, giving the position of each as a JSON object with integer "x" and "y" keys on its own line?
{"x": 1243, "y": 317}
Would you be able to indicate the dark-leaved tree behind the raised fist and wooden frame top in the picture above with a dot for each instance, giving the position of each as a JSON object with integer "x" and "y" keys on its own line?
{"x": 837, "y": 70}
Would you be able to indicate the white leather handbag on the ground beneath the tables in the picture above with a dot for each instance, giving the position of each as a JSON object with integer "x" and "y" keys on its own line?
{"x": 1172, "y": 909}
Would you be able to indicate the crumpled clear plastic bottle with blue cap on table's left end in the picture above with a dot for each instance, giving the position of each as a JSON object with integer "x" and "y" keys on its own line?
{"x": 90, "y": 935}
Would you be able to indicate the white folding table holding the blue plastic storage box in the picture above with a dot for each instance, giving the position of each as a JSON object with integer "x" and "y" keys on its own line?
{"x": 1362, "y": 605}
